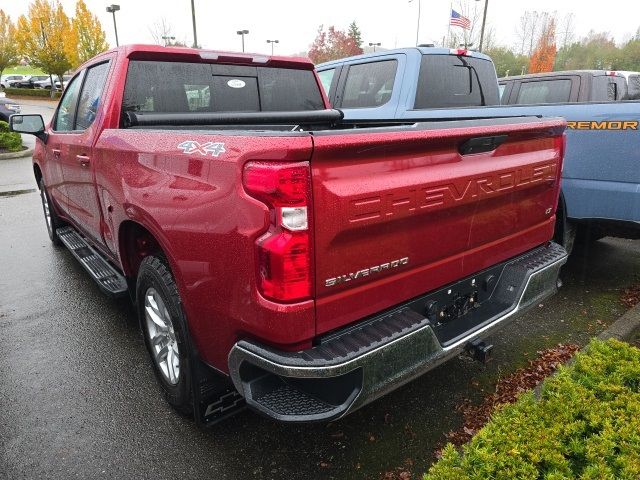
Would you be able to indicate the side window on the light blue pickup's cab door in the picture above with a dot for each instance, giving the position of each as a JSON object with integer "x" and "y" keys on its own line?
{"x": 369, "y": 84}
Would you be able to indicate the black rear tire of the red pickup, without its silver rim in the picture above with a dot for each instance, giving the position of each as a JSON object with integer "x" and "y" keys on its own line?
{"x": 154, "y": 274}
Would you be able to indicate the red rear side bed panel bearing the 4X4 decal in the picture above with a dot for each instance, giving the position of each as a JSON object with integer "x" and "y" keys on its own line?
{"x": 195, "y": 206}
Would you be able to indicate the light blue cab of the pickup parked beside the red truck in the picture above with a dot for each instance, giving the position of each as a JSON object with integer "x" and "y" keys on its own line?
{"x": 385, "y": 85}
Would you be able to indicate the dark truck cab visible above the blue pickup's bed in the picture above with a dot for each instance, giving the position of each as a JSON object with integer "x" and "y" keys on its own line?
{"x": 575, "y": 86}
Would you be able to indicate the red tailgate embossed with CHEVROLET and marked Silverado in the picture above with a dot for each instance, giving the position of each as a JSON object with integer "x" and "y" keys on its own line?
{"x": 401, "y": 211}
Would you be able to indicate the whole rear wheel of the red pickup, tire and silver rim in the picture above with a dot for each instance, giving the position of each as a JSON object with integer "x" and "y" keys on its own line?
{"x": 164, "y": 328}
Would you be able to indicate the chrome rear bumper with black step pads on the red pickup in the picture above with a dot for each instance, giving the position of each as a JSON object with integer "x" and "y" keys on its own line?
{"x": 354, "y": 366}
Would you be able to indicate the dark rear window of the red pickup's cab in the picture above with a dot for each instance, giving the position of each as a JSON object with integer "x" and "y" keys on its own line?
{"x": 177, "y": 87}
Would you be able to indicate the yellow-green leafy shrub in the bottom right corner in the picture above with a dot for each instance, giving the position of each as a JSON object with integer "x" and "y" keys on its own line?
{"x": 586, "y": 425}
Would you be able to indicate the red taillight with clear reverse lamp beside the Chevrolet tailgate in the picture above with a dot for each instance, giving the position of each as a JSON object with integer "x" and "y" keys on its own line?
{"x": 284, "y": 252}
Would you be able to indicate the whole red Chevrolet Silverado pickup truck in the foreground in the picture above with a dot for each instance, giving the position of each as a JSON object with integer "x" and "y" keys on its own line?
{"x": 277, "y": 257}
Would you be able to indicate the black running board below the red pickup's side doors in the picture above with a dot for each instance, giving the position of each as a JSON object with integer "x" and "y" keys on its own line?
{"x": 110, "y": 281}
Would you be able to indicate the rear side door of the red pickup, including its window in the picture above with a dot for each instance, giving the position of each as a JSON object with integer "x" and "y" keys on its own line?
{"x": 75, "y": 133}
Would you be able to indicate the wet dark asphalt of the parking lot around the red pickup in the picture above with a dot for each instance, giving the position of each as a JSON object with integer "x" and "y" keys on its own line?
{"x": 79, "y": 400}
